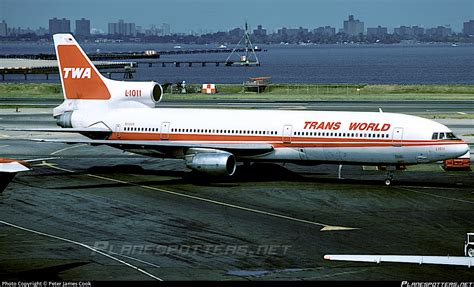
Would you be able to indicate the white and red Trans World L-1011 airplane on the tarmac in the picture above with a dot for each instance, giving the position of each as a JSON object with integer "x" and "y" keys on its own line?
{"x": 123, "y": 115}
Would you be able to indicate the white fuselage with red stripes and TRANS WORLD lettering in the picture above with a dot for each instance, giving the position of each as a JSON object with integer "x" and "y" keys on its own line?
{"x": 310, "y": 136}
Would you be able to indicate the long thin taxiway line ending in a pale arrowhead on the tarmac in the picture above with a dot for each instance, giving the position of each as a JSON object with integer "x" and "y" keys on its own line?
{"x": 325, "y": 227}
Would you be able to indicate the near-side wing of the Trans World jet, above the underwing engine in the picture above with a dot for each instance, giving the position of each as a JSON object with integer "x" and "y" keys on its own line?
{"x": 163, "y": 146}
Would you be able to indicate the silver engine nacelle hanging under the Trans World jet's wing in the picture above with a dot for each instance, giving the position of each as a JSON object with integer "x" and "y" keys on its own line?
{"x": 217, "y": 163}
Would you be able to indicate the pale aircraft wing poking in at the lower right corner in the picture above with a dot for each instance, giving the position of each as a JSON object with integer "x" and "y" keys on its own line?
{"x": 438, "y": 260}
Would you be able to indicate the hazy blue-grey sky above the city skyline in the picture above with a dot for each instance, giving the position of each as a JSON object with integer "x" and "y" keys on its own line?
{"x": 222, "y": 15}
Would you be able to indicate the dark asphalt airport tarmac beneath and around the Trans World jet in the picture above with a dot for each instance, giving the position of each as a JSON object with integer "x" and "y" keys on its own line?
{"x": 97, "y": 213}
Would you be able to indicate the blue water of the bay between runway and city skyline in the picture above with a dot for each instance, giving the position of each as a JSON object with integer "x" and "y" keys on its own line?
{"x": 353, "y": 64}
